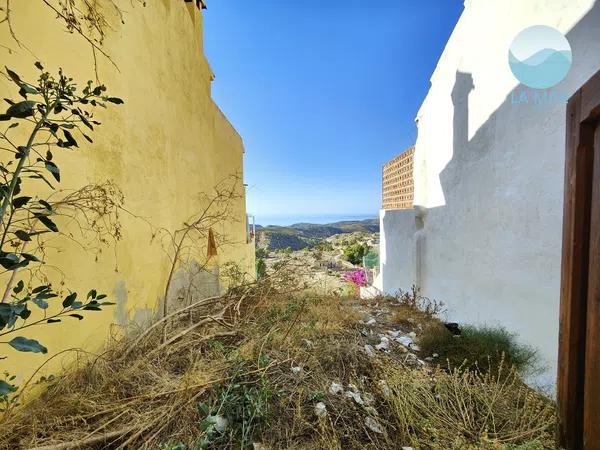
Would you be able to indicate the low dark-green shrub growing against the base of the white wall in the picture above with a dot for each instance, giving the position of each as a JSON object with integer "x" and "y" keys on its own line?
{"x": 478, "y": 348}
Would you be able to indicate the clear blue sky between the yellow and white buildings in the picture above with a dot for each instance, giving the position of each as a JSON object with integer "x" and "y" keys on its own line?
{"x": 323, "y": 93}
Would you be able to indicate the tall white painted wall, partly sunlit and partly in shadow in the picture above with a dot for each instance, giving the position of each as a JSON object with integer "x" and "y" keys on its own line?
{"x": 490, "y": 175}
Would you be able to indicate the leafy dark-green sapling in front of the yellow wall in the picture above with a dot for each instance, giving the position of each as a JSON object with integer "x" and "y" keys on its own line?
{"x": 55, "y": 115}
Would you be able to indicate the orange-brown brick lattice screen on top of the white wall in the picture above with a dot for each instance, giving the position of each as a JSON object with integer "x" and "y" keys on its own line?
{"x": 397, "y": 184}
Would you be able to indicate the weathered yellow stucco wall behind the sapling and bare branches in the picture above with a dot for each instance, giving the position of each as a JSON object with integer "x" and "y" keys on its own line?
{"x": 166, "y": 145}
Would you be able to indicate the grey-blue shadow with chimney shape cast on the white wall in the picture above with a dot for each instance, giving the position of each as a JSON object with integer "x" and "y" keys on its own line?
{"x": 492, "y": 253}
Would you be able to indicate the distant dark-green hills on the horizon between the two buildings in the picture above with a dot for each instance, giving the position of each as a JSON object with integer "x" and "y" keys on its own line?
{"x": 302, "y": 235}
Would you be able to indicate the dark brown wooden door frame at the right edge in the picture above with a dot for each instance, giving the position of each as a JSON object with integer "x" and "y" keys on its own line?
{"x": 583, "y": 115}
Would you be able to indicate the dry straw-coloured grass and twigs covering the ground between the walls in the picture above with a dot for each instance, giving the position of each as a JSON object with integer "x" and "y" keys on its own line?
{"x": 262, "y": 358}
